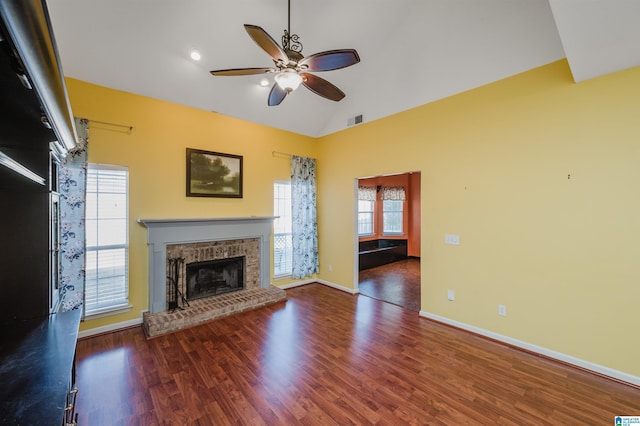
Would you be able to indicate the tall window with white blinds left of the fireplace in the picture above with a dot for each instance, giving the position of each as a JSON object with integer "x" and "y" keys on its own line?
{"x": 107, "y": 246}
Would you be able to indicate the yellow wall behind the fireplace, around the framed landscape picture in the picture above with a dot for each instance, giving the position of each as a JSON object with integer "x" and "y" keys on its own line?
{"x": 155, "y": 153}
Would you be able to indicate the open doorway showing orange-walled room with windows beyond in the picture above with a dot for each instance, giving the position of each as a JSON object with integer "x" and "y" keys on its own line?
{"x": 388, "y": 238}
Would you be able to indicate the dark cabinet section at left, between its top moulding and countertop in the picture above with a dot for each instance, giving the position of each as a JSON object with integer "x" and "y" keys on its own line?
{"x": 25, "y": 213}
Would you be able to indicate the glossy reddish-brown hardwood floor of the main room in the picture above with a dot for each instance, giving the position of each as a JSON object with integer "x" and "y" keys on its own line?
{"x": 330, "y": 358}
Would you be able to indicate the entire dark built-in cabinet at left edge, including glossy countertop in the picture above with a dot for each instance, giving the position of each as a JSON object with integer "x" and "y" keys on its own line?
{"x": 37, "y": 342}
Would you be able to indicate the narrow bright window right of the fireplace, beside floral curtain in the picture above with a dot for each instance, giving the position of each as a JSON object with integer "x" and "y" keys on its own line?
{"x": 282, "y": 242}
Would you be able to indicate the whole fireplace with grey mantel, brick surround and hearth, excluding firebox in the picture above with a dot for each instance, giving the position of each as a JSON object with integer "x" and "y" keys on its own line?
{"x": 197, "y": 240}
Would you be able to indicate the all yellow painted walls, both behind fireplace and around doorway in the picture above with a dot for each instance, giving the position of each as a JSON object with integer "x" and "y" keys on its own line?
{"x": 559, "y": 252}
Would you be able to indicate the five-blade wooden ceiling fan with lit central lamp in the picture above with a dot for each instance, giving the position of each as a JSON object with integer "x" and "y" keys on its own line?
{"x": 292, "y": 67}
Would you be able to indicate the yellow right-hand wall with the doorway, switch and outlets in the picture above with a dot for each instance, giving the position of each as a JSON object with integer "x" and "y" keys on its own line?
{"x": 540, "y": 178}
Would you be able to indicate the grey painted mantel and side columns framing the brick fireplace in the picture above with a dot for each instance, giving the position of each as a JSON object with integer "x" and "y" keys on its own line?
{"x": 193, "y": 230}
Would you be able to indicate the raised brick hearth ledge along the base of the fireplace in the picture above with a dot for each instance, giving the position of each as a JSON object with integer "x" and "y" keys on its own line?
{"x": 203, "y": 310}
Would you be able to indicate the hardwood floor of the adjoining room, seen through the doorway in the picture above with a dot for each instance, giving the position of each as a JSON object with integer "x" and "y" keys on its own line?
{"x": 397, "y": 283}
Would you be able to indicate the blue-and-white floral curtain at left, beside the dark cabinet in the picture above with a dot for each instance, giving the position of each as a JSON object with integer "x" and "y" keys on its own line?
{"x": 72, "y": 181}
